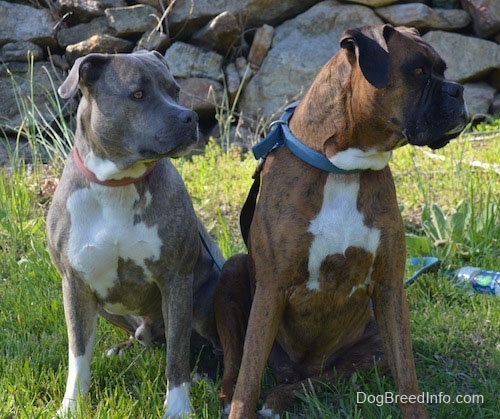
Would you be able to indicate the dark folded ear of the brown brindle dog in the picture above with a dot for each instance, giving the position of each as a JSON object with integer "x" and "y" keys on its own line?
{"x": 369, "y": 45}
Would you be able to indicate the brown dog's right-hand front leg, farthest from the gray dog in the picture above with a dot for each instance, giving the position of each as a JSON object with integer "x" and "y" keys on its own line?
{"x": 392, "y": 316}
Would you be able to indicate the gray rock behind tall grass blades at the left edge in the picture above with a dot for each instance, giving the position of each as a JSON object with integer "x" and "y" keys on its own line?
{"x": 19, "y": 86}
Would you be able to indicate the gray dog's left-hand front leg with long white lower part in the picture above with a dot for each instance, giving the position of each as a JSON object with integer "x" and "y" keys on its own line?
{"x": 80, "y": 310}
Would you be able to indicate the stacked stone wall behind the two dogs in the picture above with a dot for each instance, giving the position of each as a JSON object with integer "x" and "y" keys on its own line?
{"x": 264, "y": 53}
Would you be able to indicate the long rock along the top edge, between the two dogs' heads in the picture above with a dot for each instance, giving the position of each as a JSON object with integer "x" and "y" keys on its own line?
{"x": 187, "y": 15}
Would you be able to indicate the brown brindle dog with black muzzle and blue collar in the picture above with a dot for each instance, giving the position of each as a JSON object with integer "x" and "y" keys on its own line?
{"x": 322, "y": 286}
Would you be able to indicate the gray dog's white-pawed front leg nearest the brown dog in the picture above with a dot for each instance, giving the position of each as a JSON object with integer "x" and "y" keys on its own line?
{"x": 177, "y": 313}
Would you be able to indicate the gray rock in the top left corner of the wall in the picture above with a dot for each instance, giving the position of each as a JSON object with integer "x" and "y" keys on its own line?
{"x": 24, "y": 23}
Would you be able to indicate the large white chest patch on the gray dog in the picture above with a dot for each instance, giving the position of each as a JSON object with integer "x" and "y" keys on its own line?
{"x": 103, "y": 230}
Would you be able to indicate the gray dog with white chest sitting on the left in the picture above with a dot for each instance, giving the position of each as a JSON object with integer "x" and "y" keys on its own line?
{"x": 122, "y": 230}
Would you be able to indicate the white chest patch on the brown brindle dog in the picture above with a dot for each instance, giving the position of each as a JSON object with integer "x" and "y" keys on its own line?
{"x": 338, "y": 225}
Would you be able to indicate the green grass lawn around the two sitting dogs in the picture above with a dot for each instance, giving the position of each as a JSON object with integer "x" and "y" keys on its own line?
{"x": 455, "y": 335}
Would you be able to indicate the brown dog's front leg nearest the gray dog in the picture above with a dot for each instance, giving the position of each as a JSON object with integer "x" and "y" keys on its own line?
{"x": 265, "y": 318}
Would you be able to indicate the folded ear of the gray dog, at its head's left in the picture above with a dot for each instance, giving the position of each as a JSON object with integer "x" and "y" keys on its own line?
{"x": 85, "y": 68}
